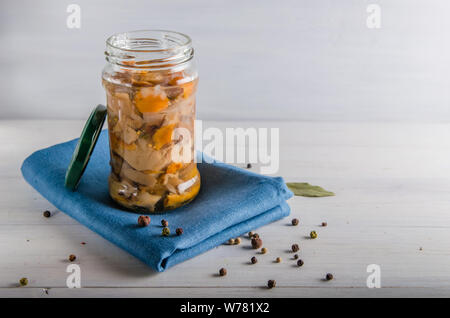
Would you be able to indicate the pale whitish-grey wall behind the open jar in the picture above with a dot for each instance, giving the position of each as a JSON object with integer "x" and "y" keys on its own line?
{"x": 258, "y": 59}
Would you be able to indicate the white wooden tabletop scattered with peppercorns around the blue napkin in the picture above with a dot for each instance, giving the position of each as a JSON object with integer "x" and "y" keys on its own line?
{"x": 392, "y": 208}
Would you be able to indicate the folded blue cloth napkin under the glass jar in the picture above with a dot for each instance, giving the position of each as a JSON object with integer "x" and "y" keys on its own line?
{"x": 232, "y": 201}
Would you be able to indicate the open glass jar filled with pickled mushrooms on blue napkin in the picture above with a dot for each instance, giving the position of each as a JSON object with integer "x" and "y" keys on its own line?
{"x": 150, "y": 82}
